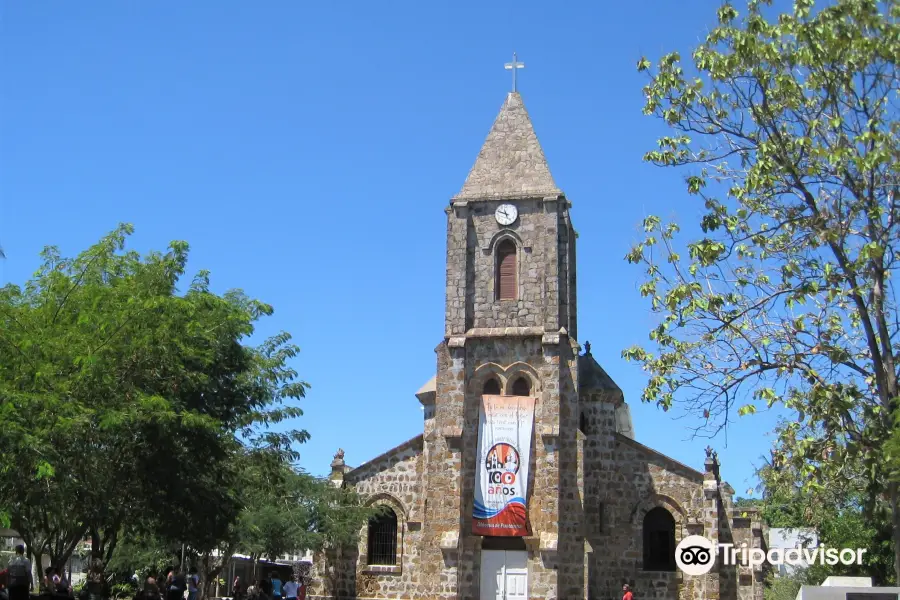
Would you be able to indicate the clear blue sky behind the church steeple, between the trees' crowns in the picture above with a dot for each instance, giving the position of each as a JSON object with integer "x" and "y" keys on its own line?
{"x": 306, "y": 151}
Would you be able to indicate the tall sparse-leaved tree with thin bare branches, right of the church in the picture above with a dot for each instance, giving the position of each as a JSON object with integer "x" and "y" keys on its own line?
{"x": 786, "y": 127}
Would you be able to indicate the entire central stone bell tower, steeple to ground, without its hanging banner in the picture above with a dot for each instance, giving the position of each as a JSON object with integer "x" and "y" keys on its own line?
{"x": 510, "y": 331}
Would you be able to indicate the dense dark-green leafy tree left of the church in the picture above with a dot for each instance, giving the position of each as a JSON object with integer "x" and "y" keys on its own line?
{"x": 123, "y": 399}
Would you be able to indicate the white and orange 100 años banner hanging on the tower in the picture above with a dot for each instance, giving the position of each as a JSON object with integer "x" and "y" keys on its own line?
{"x": 504, "y": 453}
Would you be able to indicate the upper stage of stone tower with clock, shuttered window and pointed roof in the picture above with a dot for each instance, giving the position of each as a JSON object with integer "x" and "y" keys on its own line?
{"x": 510, "y": 242}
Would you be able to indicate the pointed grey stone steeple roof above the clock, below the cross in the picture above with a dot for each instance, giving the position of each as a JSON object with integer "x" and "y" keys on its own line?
{"x": 511, "y": 163}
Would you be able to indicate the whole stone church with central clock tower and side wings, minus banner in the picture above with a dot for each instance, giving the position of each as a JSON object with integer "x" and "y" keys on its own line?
{"x": 601, "y": 509}
